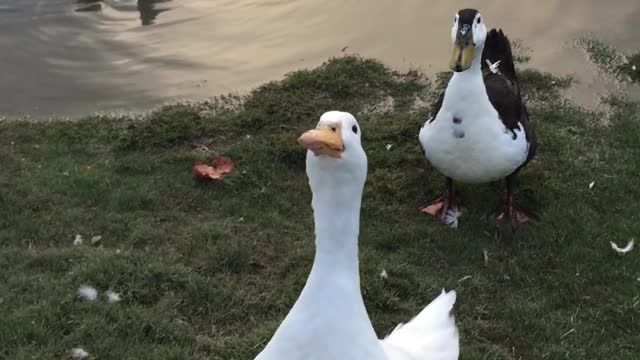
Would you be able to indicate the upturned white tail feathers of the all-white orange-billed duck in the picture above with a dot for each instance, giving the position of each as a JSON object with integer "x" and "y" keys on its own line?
{"x": 431, "y": 335}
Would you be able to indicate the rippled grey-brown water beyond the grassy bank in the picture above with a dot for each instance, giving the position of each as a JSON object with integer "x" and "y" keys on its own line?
{"x": 69, "y": 57}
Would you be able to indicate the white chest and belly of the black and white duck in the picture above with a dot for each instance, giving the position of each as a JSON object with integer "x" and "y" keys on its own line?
{"x": 467, "y": 141}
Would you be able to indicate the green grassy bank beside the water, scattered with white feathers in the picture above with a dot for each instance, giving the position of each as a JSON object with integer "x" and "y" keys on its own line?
{"x": 208, "y": 270}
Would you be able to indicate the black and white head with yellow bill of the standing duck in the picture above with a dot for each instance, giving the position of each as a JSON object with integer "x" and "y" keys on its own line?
{"x": 468, "y": 34}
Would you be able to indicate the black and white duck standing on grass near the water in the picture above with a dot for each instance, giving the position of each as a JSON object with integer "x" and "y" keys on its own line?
{"x": 481, "y": 130}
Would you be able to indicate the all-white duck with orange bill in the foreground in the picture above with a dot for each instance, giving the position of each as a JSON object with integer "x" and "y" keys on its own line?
{"x": 329, "y": 319}
